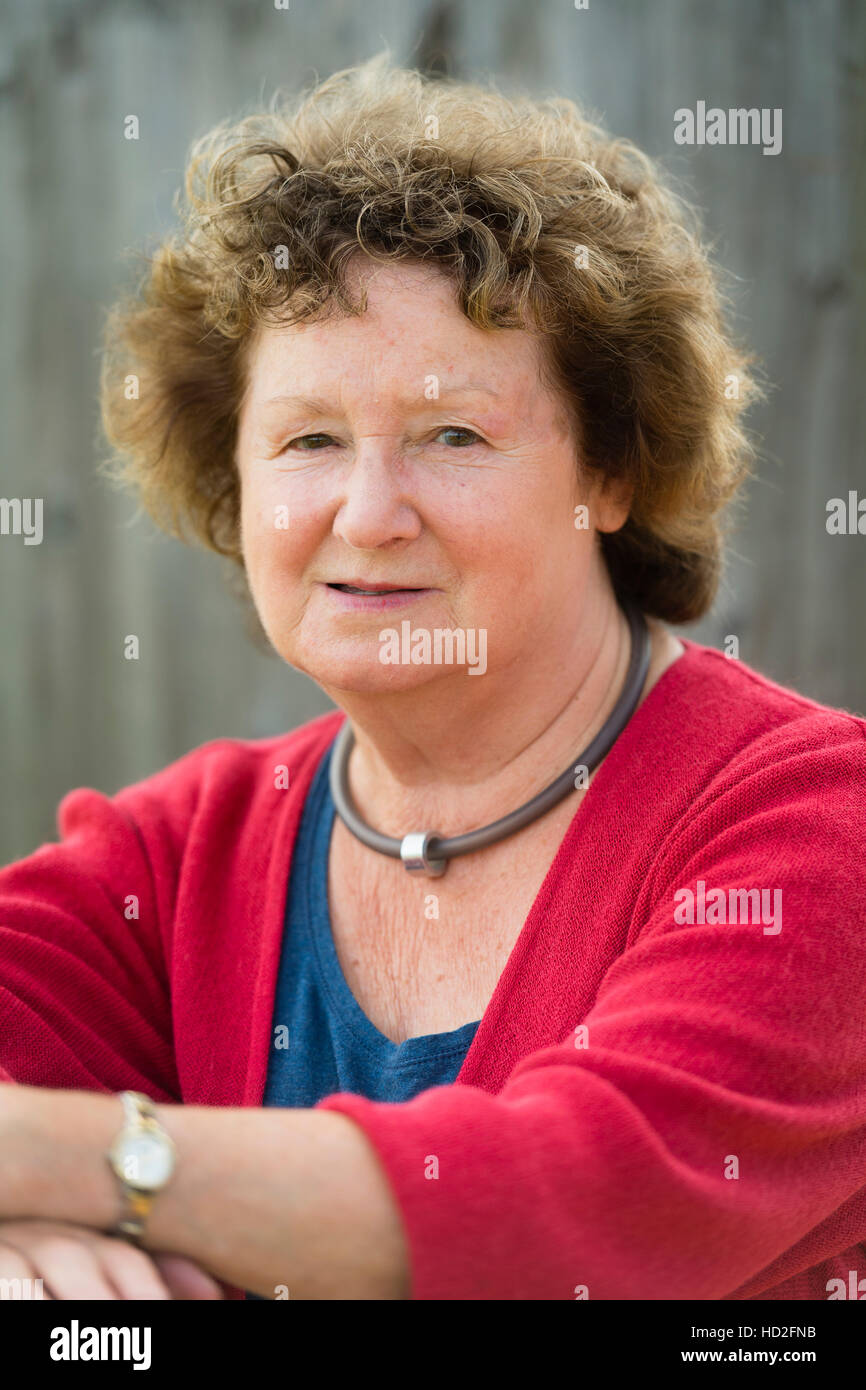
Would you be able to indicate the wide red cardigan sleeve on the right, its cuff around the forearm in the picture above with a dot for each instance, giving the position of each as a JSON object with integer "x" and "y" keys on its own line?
{"x": 717, "y": 1115}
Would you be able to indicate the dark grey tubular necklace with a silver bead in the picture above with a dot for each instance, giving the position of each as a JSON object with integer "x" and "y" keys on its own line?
{"x": 425, "y": 851}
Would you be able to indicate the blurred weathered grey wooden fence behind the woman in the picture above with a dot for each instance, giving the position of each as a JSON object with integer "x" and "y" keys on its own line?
{"x": 76, "y": 195}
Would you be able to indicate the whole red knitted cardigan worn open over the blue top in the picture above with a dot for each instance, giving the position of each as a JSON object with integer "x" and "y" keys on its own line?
{"x": 703, "y": 1138}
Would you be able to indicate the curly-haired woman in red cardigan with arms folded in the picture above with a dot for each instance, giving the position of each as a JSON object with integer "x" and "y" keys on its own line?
{"x": 537, "y": 968}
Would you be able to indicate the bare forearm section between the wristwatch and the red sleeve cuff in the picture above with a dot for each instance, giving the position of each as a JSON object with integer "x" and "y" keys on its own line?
{"x": 281, "y": 1203}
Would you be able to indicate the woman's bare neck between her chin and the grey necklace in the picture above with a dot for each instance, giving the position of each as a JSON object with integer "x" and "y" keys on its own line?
{"x": 430, "y": 760}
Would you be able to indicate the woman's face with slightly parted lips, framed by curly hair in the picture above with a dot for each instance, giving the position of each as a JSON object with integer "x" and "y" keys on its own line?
{"x": 411, "y": 451}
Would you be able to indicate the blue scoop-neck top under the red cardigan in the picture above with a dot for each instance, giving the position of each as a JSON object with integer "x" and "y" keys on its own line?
{"x": 322, "y": 1040}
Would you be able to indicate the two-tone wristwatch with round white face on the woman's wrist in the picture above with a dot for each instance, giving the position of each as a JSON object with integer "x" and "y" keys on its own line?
{"x": 142, "y": 1159}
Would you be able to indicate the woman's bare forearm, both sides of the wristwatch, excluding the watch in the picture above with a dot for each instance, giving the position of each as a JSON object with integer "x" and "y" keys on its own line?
{"x": 283, "y": 1203}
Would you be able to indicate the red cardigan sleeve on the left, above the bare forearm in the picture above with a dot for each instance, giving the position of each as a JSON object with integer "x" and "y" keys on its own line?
{"x": 84, "y": 995}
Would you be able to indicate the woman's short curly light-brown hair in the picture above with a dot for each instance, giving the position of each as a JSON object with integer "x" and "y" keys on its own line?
{"x": 541, "y": 220}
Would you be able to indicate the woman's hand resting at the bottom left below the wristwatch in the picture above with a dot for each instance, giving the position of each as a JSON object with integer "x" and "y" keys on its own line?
{"x": 79, "y": 1263}
